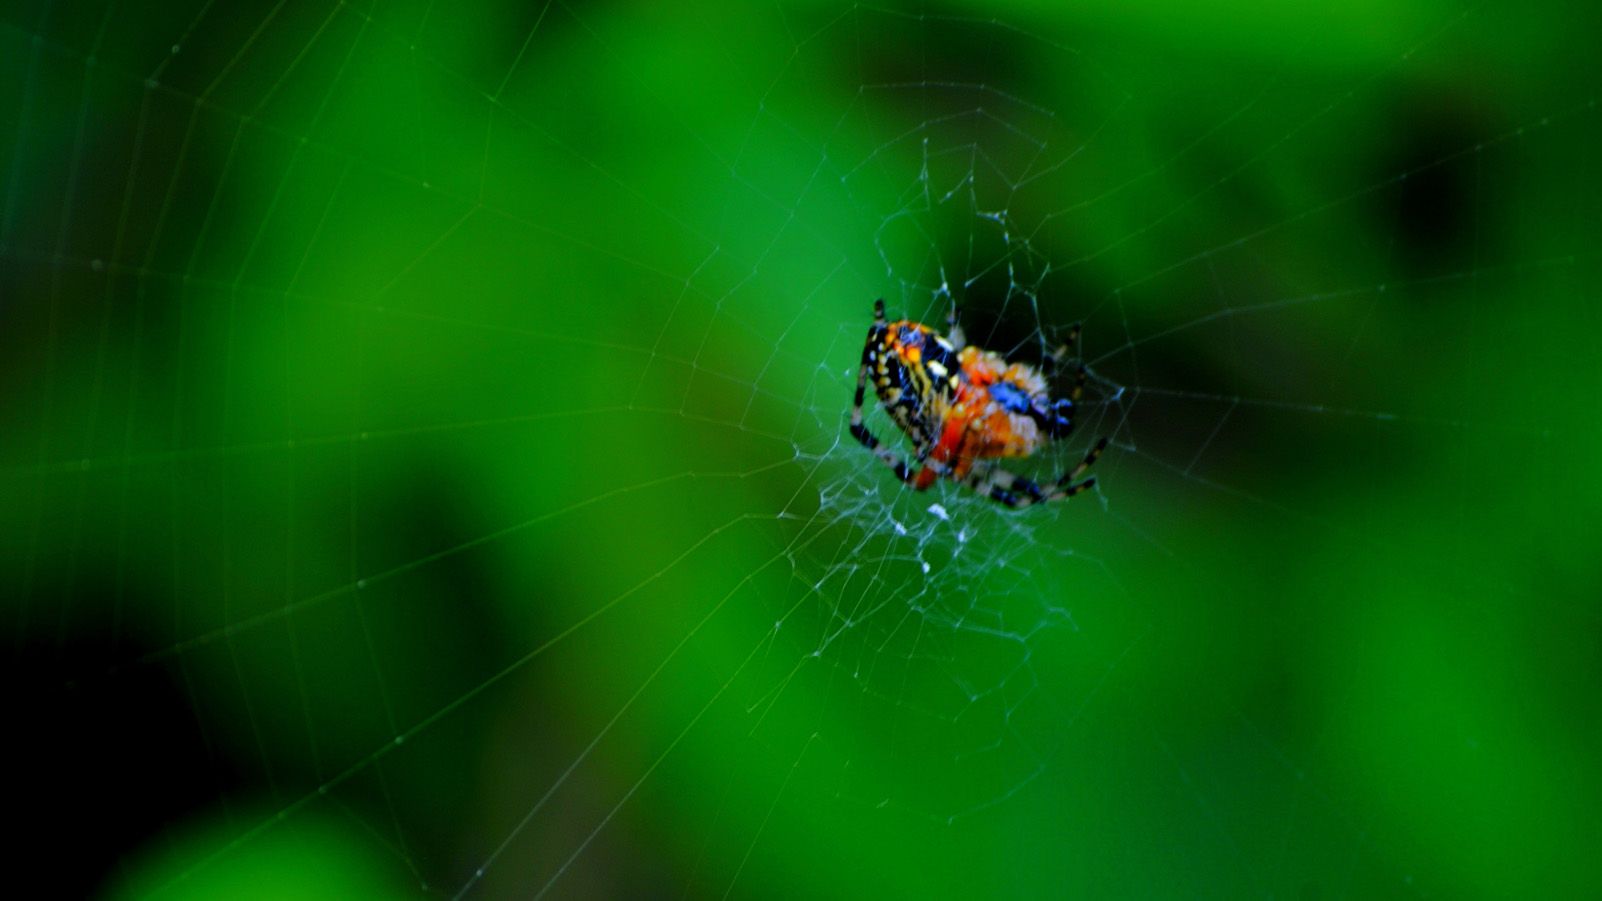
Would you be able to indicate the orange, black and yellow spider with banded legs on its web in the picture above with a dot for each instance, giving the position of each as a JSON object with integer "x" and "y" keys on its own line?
{"x": 965, "y": 408}
